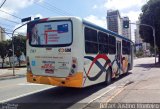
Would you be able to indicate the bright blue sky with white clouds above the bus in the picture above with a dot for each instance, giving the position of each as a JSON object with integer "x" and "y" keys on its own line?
{"x": 94, "y": 11}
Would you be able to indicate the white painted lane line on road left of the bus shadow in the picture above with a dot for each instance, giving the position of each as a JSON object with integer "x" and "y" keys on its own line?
{"x": 23, "y": 95}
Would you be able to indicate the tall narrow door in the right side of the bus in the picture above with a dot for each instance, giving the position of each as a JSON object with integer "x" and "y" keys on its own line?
{"x": 119, "y": 55}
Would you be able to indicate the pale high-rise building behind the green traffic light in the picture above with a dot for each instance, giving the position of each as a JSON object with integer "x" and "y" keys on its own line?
{"x": 126, "y": 31}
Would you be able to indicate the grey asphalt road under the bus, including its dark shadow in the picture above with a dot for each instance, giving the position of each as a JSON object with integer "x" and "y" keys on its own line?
{"x": 15, "y": 92}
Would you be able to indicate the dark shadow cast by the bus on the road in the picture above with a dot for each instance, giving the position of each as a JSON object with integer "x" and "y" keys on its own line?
{"x": 58, "y": 97}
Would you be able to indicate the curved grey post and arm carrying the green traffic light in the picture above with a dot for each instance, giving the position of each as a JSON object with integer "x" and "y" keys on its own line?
{"x": 154, "y": 36}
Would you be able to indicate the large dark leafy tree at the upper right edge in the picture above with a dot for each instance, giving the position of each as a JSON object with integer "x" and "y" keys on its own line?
{"x": 151, "y": 16}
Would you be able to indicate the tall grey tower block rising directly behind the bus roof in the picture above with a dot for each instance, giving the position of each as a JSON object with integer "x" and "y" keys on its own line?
{"x": 114, "y": 21}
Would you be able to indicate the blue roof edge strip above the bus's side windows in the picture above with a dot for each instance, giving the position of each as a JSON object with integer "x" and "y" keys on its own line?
{"x": 104, "y": 30}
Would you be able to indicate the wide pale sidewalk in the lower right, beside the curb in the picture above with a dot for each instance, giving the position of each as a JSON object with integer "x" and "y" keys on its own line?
{"x": 144, "y": 90}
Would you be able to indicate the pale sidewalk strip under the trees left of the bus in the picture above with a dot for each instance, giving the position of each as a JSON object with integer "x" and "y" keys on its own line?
{"x": 8, "y": 73}
